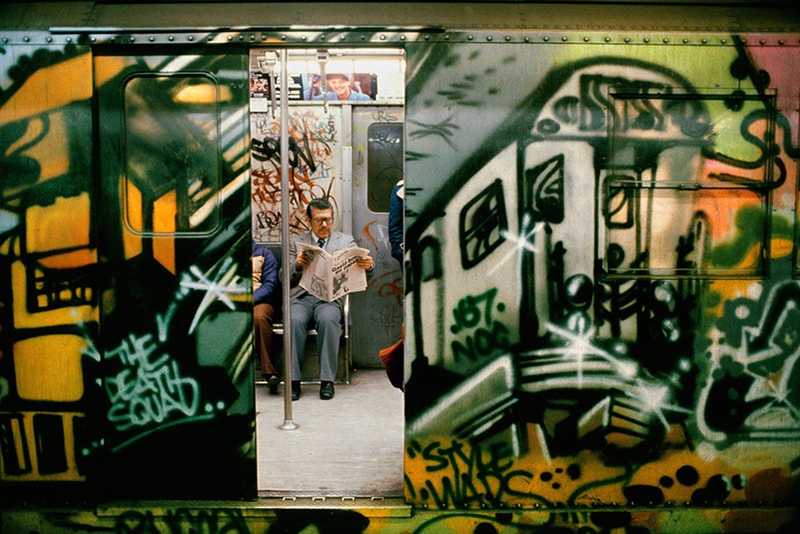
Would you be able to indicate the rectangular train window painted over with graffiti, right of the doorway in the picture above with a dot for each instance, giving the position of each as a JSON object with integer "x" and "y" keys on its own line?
{"x": 675, "y": 158}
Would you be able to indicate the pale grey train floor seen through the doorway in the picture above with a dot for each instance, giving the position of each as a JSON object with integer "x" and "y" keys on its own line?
{"x": 349, "y": 446}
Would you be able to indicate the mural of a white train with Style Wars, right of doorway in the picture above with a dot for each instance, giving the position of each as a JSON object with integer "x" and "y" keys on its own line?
{"x": 602, "y": 306}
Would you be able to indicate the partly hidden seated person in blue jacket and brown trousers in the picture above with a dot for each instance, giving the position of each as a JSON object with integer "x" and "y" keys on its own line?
{"x": 266, "y": 308}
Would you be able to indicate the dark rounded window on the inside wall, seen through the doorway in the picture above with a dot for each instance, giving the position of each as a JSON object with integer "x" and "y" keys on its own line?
{"x": 384, "y": 163}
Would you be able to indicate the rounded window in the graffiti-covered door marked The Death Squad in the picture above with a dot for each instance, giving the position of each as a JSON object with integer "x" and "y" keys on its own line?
{"x": 171, "y": 154}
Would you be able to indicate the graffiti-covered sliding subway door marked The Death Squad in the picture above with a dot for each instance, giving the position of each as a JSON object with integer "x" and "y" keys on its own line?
{"x": 176, "y": 314}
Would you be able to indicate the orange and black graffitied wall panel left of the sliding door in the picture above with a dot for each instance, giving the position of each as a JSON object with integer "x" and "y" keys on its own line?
{"x": 49, "y": 310}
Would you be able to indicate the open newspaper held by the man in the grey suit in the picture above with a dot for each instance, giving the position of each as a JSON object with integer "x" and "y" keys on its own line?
{"x": 332, "y": 276}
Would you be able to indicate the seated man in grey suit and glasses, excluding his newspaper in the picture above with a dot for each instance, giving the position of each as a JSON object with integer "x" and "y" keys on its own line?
{"x": 308, "y": 309}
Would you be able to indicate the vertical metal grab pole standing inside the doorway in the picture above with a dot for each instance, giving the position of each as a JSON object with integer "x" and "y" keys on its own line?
{"x": 288, "y": 423}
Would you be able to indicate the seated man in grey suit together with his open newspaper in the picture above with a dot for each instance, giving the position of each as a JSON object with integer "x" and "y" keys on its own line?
{"x": 326, "y": 266}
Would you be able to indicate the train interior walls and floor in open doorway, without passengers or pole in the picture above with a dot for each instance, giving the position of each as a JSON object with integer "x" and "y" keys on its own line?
{"x": 351, "y": 152}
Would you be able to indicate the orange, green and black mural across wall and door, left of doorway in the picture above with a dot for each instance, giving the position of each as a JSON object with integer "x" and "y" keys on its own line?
{"x": 114, "y": 375}
